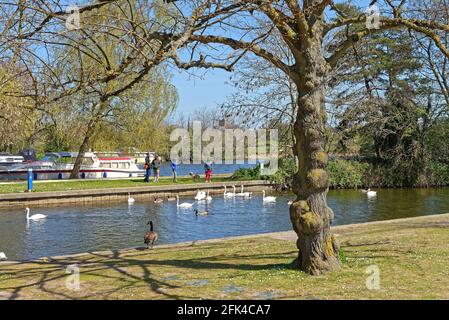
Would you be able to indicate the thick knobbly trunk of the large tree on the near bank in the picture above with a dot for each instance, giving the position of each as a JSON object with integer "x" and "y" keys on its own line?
{"x": 310, "y": 215}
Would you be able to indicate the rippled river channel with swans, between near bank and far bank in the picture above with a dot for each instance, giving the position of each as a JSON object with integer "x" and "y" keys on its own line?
{"x": 70, "y": 229}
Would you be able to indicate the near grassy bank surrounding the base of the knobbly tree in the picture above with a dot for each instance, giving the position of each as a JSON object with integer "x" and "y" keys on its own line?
{"x": 412, "y": 255}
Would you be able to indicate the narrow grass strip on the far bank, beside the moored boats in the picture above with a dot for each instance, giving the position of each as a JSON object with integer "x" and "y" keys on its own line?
{"x": 42, "y": 186}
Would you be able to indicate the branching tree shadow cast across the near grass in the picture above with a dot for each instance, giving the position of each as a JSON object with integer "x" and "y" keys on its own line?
{"x": 110, "y": 274}
